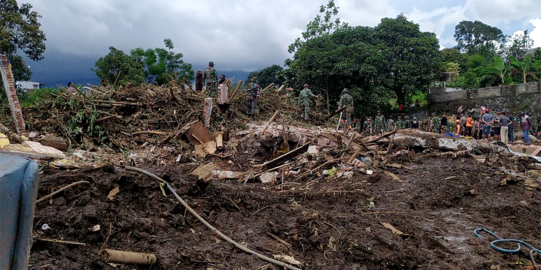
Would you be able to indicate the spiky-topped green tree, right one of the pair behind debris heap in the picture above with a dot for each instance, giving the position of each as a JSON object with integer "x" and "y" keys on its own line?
{"x": 162, "y": 64}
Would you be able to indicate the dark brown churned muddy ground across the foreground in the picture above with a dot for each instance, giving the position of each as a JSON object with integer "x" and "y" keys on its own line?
{"x": 329, "y": 224}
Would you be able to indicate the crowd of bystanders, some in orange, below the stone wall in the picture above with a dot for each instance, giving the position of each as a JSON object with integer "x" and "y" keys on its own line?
{"x": 480, "y": 123}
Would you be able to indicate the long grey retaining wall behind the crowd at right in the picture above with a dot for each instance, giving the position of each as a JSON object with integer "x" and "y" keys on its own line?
{"x": 513, "y": 97}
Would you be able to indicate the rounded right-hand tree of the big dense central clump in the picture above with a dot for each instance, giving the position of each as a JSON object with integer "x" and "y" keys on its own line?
{"x": 411, "y": 57}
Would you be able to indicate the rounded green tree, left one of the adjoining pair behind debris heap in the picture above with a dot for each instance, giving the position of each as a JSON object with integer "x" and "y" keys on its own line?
{"x": 120, "y": 68}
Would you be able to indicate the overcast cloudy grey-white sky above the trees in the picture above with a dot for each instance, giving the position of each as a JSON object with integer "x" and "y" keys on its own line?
{"x": 249, "y": 34}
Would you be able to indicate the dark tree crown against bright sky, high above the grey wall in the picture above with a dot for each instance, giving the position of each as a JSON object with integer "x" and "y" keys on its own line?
{"x": 472, "y": 35}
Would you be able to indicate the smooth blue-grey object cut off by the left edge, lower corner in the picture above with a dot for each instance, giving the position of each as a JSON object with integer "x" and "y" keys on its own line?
{"x": 18, "y": 191}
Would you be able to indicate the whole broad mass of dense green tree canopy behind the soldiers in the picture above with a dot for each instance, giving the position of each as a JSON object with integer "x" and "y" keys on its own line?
{"x": 391, "y": 60}
